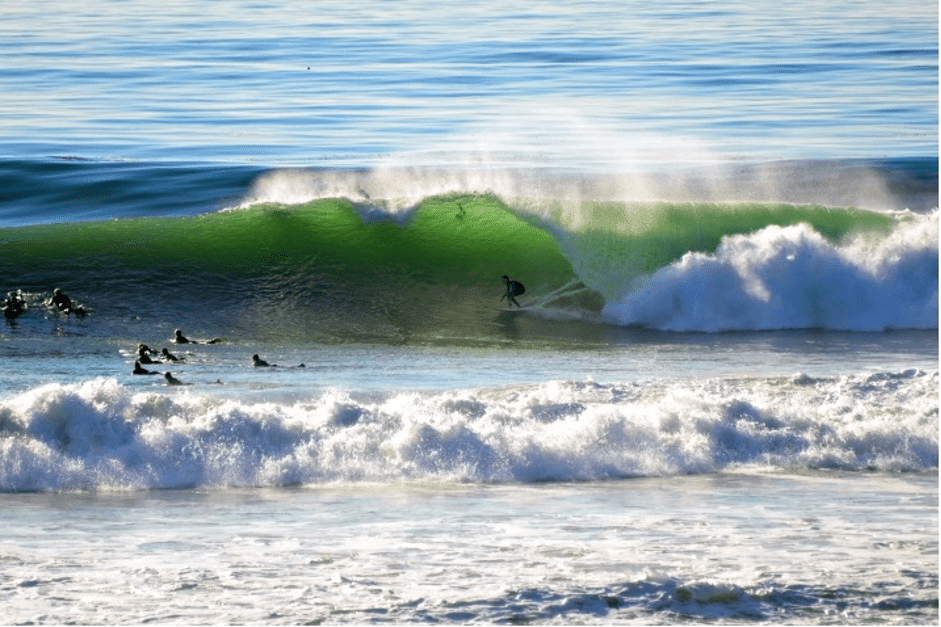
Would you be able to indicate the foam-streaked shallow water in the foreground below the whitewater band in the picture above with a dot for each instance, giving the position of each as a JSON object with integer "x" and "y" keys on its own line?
{"x": 723, "y": 548}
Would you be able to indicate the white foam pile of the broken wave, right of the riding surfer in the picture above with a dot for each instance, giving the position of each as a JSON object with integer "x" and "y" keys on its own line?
{"x": 793, "y": 277}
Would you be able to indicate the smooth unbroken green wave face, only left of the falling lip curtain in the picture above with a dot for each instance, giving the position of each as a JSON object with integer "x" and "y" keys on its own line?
{"x": 315, "y": 268}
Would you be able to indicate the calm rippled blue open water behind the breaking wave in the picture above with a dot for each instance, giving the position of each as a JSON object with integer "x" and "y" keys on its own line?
{"x": 583, "y": 84}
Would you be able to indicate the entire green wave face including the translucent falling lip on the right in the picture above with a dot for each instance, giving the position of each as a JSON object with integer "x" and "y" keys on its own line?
{"x": 332, "y": 267}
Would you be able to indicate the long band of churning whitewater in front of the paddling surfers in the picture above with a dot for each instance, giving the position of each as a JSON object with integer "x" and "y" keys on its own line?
{"x": 100, "y": 435}
